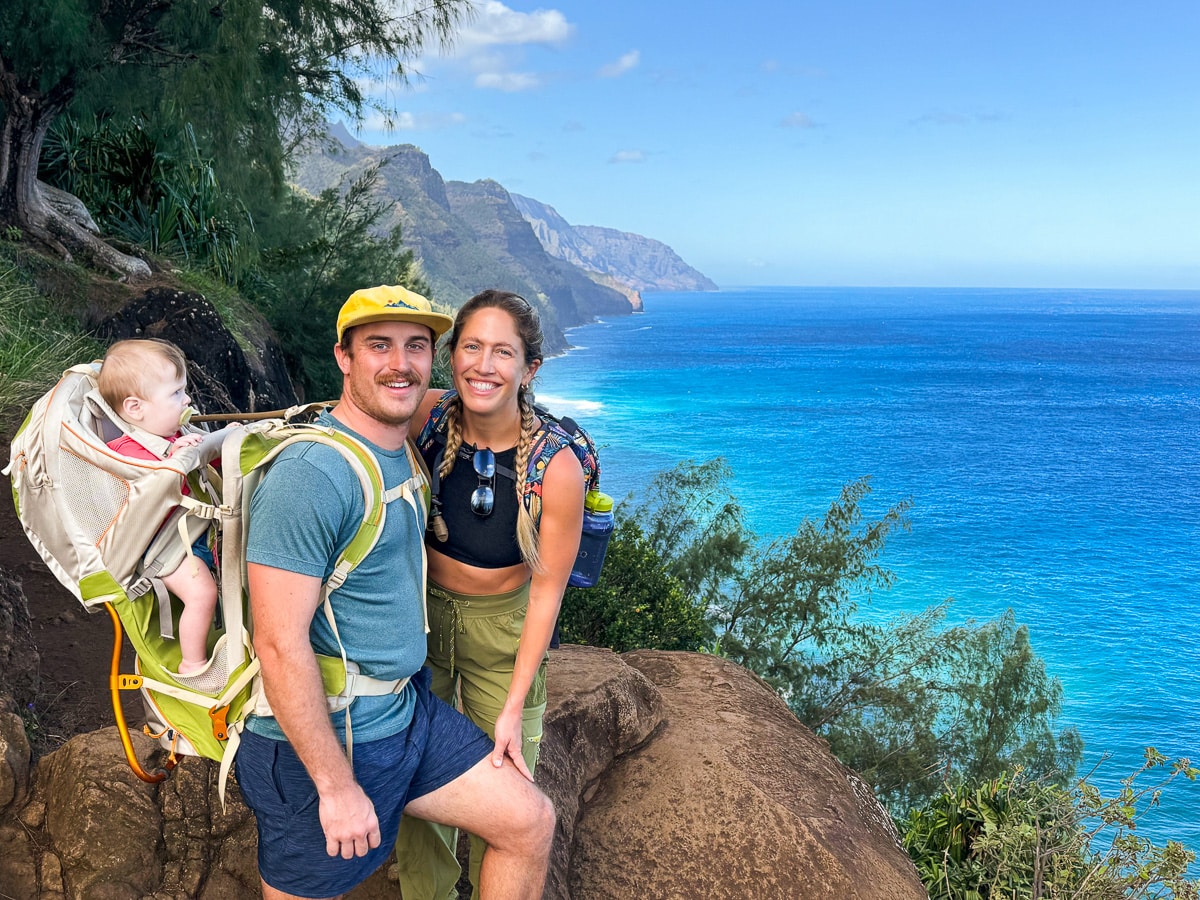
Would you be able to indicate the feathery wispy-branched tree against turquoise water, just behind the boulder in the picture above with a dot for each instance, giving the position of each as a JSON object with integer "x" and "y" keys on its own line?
{"x": 907, "y": 700}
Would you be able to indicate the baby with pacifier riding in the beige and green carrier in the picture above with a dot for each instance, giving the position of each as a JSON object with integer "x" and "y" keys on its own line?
{"x": 146, "y": 383}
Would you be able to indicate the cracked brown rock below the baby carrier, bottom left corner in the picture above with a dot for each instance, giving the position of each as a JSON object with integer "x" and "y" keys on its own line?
{"x": 94, "y": 830}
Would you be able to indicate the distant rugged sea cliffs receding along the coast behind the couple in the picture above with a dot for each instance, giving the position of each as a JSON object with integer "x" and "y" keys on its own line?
{"x": 470, "y": 237}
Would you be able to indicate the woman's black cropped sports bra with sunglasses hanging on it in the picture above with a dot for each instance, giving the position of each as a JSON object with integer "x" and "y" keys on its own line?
{"x": 484, "y": 542}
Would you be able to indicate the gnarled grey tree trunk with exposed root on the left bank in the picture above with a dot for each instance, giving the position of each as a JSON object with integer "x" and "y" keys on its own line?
{"x": 28, "y": 117}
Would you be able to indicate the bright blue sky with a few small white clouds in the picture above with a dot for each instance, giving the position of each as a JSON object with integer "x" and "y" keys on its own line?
{"x": 1009, "y": 145}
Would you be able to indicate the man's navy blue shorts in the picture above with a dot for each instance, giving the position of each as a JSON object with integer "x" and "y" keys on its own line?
{"x": 439, "y": 747}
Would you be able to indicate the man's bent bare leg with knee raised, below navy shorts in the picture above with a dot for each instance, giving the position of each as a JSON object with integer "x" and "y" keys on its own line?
{"x": 505, "y": 809}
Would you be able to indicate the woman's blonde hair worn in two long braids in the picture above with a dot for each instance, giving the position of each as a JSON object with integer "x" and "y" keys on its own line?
{"x": 529, "y": 328}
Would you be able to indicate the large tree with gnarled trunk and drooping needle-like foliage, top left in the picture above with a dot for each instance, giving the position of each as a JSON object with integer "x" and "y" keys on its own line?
{"x": 251, "y": 80}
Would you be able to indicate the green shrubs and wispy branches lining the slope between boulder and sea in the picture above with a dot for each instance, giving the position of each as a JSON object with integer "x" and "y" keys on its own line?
{"x": 953, "y": 725}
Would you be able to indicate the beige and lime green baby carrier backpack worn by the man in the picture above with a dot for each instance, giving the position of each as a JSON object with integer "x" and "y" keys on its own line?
{"x": 98, "y": 520}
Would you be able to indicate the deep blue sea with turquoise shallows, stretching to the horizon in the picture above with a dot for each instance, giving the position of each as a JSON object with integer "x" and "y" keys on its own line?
{"x": 1047, "y": 439}
